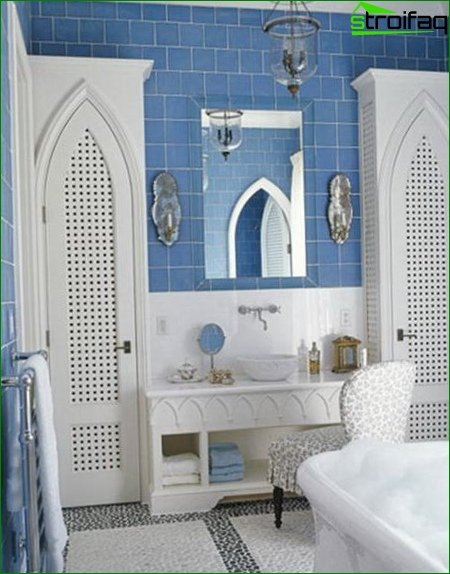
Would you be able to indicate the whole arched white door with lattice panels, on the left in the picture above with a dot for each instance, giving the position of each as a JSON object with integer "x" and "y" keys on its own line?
{"x": 90, "y": 302}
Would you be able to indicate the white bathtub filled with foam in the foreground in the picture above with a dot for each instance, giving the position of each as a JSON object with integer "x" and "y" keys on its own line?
{"x": 379, "y": 507}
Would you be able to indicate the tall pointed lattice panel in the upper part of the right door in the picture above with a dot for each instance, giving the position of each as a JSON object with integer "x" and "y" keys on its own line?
{"x": 426, "y": 263}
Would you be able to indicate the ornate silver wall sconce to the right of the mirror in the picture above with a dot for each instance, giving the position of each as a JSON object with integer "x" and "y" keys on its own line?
{"x": 340, "y": 211}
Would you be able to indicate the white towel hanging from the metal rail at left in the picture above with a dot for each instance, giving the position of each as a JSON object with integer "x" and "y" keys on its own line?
{"x": 55, "y": 530}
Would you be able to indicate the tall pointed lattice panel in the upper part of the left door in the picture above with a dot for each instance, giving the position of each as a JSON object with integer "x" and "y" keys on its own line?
{"x": 90, "y": 276}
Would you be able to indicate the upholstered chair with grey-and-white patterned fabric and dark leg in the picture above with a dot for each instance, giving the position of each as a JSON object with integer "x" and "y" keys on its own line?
{"x": 374, "y": 402}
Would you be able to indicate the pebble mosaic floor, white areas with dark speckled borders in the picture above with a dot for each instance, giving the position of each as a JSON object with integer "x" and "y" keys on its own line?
{"x": 233, "y": 537}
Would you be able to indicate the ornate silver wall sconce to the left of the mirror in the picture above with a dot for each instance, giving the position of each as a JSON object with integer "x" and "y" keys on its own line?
{"x": 166, "y": 211}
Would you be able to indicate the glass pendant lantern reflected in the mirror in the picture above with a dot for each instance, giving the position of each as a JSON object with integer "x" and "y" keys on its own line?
{"x": 225, "y": 130}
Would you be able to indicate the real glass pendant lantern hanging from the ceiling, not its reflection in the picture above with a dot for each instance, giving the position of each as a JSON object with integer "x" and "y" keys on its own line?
{"x": 293, "y": 54}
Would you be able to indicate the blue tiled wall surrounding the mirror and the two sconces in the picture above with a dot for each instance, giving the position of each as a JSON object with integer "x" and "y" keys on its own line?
{"x": 201, "y": 51}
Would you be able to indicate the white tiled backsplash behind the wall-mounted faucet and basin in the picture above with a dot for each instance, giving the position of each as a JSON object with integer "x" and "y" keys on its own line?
{"x": 309, "y": 314}
